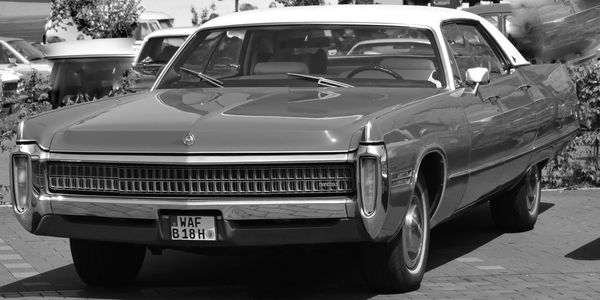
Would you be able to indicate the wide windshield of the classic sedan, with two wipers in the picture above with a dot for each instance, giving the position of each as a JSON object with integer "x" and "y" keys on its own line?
{"x": 265, "y": 56}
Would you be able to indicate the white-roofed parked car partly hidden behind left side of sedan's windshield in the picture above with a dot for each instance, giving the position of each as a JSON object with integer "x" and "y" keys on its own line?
{"x": 156, "y": 50}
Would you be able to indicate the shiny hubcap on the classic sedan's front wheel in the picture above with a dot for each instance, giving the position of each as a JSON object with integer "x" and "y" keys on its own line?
{"x": 413, "y": 233}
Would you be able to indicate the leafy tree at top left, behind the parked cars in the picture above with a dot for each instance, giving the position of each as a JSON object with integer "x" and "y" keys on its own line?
{"x": 96, "y": 18}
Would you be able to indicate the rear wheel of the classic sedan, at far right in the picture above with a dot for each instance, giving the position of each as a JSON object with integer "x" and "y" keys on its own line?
{"x": 518, "y": 209}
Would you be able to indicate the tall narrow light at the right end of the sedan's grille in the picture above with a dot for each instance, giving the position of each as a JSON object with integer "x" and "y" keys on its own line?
{"x": 369, "y": 180}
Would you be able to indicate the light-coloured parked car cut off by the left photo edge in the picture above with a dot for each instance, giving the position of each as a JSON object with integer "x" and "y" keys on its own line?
{"x": 21, "y": 56}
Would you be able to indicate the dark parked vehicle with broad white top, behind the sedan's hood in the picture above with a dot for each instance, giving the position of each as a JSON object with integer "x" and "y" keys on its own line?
{"x": 87, "y": 69}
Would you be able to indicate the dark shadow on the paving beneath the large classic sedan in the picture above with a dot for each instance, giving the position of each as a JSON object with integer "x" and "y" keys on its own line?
{"x": 307, "y": 272}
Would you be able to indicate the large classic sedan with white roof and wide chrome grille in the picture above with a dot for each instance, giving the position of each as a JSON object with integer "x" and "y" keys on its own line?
{"x": 253, "y": 135}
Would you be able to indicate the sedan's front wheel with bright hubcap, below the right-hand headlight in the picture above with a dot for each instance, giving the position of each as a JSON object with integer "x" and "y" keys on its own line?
{"x": 399, "y": 266}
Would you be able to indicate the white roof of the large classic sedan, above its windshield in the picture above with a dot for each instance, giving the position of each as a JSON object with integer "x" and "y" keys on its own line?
{"x": 345, "y": 14}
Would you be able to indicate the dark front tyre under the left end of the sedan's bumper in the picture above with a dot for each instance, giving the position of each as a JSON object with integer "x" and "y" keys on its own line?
{"x": 106, "y": 263}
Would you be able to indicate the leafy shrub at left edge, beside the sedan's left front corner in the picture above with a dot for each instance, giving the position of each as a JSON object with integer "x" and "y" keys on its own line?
{"x": 32, "y": 101}
